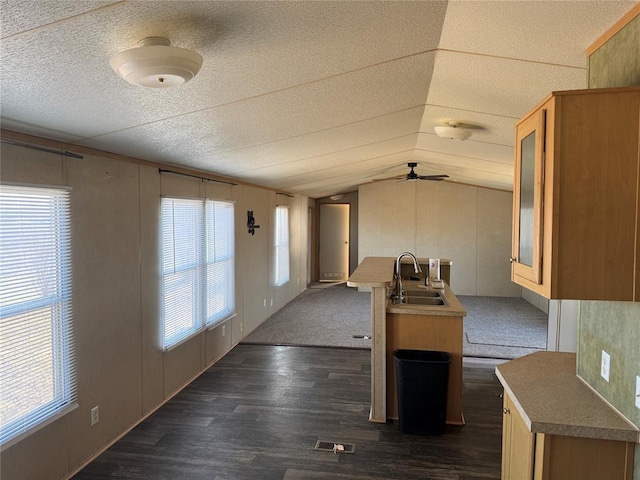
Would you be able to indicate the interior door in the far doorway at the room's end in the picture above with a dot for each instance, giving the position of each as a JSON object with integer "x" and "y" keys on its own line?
{"x": 334, "y": 242}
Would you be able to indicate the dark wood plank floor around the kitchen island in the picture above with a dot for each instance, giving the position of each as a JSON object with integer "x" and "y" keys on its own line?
{"x": 258, "y": 413}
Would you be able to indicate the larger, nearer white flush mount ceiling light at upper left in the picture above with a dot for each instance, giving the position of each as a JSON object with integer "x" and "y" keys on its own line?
{"x": 156, "y": 64}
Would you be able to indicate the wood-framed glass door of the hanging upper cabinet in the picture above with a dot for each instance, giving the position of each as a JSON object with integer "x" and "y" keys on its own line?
{"x": 527, "y": 234}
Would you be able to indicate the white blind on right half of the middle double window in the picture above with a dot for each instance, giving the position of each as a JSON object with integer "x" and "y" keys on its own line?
{"x": 220, "y": 261}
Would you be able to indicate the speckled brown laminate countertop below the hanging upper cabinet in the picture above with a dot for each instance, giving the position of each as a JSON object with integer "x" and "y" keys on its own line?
{"x": 552, "y": 399}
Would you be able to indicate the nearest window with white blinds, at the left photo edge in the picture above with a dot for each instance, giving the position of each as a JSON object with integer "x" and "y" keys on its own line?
{"x": 37, "y": 369}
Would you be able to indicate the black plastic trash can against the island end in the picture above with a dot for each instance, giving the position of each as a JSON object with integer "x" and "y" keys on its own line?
{"x": 422, "y": 379}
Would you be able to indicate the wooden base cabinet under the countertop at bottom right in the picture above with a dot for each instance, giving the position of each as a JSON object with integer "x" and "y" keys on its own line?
{"x": 539, "y": 456}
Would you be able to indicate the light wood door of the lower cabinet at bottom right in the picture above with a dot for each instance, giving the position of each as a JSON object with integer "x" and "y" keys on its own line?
{"x": 518, "y": 445}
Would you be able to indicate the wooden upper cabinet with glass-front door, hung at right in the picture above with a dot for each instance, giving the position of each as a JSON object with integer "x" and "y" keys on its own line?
{"x": 576, "y": 228}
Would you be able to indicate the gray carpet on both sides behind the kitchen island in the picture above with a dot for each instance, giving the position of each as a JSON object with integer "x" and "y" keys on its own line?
{"x": 332, "y": 315}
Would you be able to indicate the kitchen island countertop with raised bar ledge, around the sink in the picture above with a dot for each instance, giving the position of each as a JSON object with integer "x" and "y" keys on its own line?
{"x": 378, "y": 272}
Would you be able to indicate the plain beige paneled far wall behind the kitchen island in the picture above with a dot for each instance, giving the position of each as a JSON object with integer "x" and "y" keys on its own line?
{"x": 469, "y": 225}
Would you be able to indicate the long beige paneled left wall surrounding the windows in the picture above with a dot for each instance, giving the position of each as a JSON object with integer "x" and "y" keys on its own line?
{"x": 115, "y": 209}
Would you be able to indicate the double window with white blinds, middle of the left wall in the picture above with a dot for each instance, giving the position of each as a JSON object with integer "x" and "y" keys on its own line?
{"x": 198, "y": 250}
